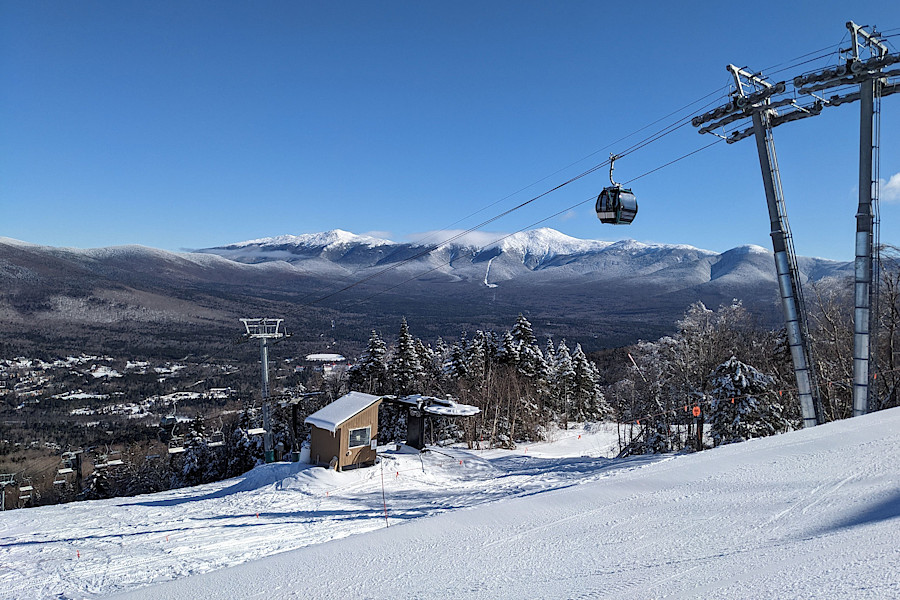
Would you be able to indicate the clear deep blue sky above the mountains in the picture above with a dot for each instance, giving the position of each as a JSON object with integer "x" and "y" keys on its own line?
{"x": 193, "y": 124}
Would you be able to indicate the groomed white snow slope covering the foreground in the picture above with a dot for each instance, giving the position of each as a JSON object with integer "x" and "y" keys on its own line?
{"x": 810, "y": 514}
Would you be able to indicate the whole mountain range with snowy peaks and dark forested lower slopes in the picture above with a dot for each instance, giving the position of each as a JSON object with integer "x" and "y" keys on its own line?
{"x": 598, "y": 293}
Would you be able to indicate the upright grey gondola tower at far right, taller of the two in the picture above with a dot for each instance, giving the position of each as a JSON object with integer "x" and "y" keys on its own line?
{"x": 869, "y": 74}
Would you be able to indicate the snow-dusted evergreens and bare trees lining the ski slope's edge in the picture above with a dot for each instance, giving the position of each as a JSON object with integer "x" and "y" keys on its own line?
{"x": 717, "y": 379}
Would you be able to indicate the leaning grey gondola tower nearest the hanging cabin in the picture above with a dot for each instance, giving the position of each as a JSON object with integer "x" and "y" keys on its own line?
{"x": 753, "y": 98}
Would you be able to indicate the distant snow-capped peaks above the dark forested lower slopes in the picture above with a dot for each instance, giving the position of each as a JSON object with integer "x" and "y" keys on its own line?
{"x": 536, "y": 255}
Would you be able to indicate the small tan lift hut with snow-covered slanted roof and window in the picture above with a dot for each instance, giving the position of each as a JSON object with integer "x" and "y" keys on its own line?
{"x": 344, "y": 432}
